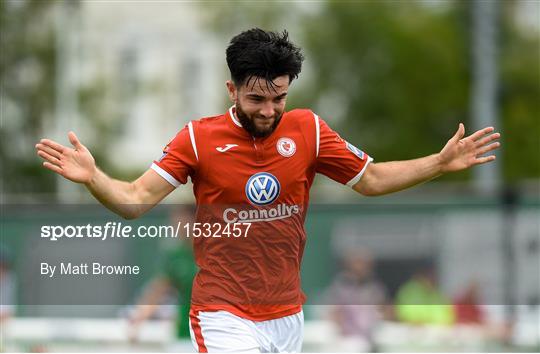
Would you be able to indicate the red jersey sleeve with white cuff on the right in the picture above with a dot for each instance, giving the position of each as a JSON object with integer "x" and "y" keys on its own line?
{"x": 337, "y": 158}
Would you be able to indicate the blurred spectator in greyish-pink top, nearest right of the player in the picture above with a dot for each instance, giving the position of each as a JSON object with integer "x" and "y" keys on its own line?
{"x": 358, "y": 300}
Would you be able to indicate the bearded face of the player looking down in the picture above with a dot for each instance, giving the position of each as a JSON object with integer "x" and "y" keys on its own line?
{"x": 260, "y": 104}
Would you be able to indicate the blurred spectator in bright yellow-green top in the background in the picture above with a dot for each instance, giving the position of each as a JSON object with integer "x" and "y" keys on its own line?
{"x": 419, "y": 301}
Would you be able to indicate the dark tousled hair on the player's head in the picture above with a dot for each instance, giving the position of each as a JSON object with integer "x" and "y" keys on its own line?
{"x": 263, "y": 54}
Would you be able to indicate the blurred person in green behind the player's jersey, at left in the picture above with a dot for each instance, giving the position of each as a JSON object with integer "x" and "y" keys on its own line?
{"x": 177, "y": 272}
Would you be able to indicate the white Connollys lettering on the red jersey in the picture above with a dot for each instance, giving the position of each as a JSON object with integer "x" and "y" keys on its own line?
{"x": 280, "y": 211}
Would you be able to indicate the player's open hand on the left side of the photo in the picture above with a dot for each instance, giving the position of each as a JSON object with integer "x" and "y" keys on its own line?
{"x": 76, "y": 164}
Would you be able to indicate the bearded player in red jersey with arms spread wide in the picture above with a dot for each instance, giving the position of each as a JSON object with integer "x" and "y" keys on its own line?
{"x": 252, "y": 169}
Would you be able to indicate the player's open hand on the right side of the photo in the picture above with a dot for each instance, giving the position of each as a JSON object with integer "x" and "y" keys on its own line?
{"x": 460, "y": 153}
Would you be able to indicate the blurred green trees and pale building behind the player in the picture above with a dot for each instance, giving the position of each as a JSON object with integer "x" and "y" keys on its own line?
{"x": 394, "y": 77}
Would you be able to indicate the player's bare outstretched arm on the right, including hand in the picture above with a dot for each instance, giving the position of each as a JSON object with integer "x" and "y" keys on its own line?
{"x": 458, "y": 154}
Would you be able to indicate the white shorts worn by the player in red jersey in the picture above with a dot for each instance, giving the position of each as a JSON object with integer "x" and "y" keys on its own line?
{"x": 221, "y": 331}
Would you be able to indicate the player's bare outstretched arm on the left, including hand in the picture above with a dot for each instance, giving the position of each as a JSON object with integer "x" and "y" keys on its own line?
{"x": 127, "y": 199}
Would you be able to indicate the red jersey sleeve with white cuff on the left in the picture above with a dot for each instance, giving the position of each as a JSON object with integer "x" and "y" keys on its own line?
{"x": 178, "y": 160}
